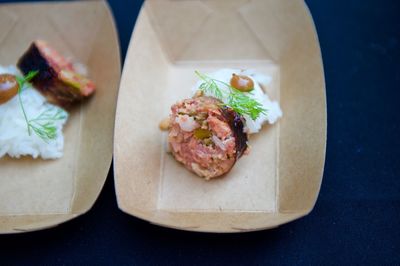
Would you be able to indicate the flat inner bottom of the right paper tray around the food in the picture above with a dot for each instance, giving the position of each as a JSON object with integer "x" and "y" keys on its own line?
{"x": 181, "y": 190}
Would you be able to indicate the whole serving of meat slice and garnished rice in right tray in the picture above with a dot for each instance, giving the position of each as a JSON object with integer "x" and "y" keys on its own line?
{"x": 208, "y": 133}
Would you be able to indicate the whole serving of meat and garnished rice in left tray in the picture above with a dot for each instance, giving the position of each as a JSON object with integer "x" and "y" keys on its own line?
{"x": 32, "y": 116}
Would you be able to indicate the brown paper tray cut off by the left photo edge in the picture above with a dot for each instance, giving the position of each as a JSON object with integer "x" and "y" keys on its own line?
{"x": 35, "y": 194}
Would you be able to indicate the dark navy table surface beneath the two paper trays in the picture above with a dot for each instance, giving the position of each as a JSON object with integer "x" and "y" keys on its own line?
{"x": 357, "y": 216}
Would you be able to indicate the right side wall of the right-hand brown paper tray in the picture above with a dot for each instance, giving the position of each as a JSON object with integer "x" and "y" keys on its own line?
{"x": 310, "y": 103}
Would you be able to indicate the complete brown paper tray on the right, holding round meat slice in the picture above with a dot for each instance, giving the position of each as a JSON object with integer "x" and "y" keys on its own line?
{"x": 280, "y": 179}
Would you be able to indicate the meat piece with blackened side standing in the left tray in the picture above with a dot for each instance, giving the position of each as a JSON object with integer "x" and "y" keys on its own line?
{"x": 58, "y": 79}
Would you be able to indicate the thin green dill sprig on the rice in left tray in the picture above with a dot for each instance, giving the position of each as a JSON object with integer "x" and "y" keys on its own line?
{"x": 44, "y": 124}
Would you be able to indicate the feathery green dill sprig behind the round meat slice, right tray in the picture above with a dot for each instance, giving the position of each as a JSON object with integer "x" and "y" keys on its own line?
{"x": 239, "y": 101}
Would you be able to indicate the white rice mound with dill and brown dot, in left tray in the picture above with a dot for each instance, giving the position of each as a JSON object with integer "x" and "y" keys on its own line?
{"x": 28, "y": 124}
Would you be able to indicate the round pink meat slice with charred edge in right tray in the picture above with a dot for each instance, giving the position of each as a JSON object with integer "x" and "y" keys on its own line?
{"x": 206, "y": 136}
